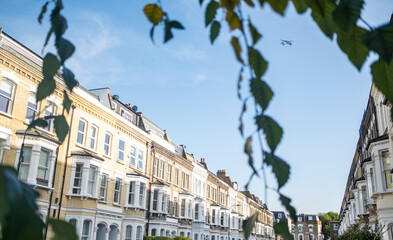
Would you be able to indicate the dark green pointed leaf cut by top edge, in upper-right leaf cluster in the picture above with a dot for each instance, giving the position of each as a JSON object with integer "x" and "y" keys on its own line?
{"x": 347, "y": 14}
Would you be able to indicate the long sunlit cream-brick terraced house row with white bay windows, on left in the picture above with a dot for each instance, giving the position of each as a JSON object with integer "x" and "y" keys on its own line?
{"x": 117, "y": 175}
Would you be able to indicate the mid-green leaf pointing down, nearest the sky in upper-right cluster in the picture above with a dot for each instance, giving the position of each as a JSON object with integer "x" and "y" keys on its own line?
{"x": 352, "y": 45}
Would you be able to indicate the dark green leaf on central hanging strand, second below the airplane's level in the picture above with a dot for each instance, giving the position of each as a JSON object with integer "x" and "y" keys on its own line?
{"x": 261, "y": 92}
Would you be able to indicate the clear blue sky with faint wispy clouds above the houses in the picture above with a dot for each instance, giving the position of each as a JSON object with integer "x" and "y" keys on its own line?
{"x": 188, "y": 86}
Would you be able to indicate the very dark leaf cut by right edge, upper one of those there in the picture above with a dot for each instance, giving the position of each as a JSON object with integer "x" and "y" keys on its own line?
{"x": 380, "y": 40}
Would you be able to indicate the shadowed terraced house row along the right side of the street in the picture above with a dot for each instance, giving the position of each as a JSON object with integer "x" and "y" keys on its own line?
{"x": 368, "y": 197}
